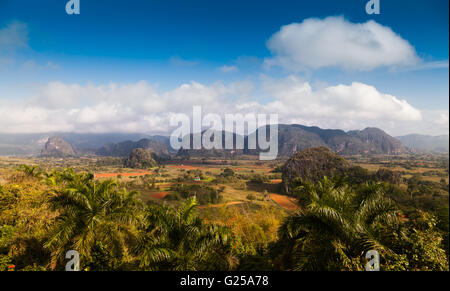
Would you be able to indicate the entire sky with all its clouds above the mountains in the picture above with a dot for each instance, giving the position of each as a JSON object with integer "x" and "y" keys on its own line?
{"x": 128, "y": 66}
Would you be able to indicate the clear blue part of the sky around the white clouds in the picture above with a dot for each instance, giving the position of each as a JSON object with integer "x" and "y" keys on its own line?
{"x": 169, "y": 43}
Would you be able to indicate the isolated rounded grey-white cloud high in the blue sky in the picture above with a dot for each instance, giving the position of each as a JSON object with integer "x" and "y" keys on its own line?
{"x": 336, "y": 42}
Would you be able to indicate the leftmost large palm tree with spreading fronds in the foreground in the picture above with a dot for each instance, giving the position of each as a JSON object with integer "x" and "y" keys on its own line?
{"x": 92, "y": 213}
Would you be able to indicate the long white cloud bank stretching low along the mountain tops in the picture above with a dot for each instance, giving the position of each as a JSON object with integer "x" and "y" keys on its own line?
{"x": 139, "y": 107}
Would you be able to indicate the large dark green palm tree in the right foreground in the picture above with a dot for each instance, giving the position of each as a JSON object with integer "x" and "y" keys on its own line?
{"x": 337, "y": 227}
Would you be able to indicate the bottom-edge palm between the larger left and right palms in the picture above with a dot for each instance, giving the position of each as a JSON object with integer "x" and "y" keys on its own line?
{"x": 177, "y": 239}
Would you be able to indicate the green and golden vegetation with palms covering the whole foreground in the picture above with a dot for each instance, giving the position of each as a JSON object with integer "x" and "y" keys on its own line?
{"x": 45, "y": 213}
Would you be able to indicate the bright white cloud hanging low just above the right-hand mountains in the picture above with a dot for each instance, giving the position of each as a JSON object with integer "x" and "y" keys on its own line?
{"x": 353, "y": 103}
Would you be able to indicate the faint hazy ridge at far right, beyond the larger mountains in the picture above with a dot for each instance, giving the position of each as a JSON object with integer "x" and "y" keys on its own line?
{"x": 427, "y": 143}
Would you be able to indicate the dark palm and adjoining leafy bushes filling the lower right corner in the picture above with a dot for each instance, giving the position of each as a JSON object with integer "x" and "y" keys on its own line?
{"x": 338, "y": 226}
